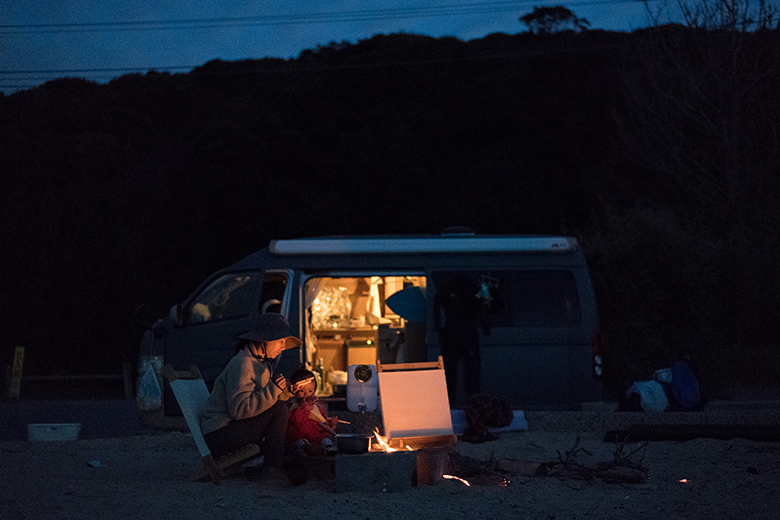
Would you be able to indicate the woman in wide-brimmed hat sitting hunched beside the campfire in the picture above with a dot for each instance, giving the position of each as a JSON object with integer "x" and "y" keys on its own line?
{"x": 248, "y": 402}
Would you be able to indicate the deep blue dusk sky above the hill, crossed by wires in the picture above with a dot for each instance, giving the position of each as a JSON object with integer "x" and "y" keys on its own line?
{"x": 103, "y": 39}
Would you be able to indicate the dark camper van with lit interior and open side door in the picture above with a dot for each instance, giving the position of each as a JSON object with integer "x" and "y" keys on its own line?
{"x": 356, "y": 300}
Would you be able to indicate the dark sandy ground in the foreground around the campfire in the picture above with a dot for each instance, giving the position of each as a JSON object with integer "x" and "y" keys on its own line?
{"x": 146, "y": 476}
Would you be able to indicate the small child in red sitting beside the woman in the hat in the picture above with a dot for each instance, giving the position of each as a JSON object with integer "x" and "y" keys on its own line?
{"x": 309, "y": 432}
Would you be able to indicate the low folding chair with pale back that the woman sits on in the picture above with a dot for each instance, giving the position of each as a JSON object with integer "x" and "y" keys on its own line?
{"x": 191, "y": 394}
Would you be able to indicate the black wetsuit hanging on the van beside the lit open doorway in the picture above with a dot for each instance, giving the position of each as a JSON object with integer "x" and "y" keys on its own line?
{"x": 458, "y": 315}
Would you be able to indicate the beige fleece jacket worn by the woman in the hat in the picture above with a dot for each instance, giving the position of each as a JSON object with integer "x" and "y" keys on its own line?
{"x": 243, "y": 390}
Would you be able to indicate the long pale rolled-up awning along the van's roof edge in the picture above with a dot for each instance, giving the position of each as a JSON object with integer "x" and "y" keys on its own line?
{"x": 447, "y": 243}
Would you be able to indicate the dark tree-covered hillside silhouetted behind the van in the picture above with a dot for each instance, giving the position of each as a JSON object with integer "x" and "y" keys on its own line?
{"x": 658, "y": 149}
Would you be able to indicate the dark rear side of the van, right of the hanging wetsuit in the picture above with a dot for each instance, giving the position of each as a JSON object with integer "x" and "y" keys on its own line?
{"x": 538, "y": 343}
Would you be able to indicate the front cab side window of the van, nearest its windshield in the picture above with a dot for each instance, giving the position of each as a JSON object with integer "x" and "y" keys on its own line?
{"x": 228, "y": 296}
